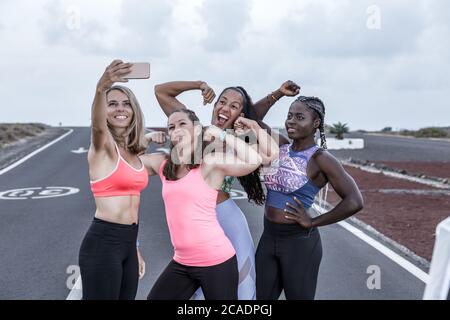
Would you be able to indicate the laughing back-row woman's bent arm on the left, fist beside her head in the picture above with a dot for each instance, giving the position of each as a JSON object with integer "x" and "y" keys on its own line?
{"x": 166, "y": 94}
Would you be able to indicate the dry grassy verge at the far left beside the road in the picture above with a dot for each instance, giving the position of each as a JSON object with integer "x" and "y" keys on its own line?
{"x": 12, "y": 132}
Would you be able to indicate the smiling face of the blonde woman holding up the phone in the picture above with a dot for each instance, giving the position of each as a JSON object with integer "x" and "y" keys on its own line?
{"x": 119, "y": 110}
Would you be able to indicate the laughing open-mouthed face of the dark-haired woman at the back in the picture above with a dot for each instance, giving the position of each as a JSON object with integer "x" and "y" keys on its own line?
{"x": 227, "y": 109}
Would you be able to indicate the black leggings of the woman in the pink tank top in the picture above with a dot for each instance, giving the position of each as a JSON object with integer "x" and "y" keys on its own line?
{"x": 179, "y": 282}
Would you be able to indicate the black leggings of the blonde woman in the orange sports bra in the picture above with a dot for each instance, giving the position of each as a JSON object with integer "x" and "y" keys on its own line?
{"x": 108, "y": 261}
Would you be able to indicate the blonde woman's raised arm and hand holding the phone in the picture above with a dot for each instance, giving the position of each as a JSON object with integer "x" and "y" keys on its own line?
{"x": 99, "y": 128}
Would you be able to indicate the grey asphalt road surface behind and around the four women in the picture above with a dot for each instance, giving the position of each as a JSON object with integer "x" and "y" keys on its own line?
{"x": 40, "y": 234}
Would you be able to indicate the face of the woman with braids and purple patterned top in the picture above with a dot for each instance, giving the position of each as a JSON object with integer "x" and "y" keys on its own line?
{"x": 301, "y": 121}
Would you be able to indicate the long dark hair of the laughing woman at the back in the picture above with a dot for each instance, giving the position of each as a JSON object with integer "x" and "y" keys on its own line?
{"x": 251, "y": 182}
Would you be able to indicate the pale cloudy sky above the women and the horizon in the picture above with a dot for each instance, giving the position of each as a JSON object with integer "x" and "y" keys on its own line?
{"x": 374, "y": 63}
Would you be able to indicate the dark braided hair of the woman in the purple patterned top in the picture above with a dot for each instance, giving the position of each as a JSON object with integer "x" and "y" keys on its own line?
{"x": 316, "y": 105}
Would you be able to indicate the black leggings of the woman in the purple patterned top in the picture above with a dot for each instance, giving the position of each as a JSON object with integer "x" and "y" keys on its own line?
{"x": 288, "y": 257}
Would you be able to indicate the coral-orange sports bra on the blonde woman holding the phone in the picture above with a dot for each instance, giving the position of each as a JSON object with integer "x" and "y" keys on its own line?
{"x": 124, "y": 180}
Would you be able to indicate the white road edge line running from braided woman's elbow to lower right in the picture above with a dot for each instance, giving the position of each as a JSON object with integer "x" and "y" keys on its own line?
{"x": 402, "y": 262}
